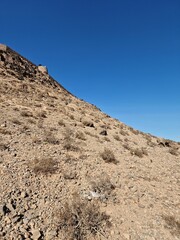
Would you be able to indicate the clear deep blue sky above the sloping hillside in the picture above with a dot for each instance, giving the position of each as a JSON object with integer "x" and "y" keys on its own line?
{"x": 121, "y": 55}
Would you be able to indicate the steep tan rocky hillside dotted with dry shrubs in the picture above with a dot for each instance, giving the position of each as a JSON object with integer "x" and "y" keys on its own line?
{"x": 69, "y": 171}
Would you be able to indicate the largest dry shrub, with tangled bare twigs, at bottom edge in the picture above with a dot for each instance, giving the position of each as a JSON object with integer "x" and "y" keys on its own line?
{"x": 81, "y": 220}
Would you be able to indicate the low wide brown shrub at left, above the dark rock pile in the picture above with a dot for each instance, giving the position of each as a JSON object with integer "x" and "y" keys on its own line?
{"x": 44, "y": 165}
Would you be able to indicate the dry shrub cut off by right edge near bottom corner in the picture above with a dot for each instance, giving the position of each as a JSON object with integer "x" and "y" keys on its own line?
{"x": 172, "y": 224}
